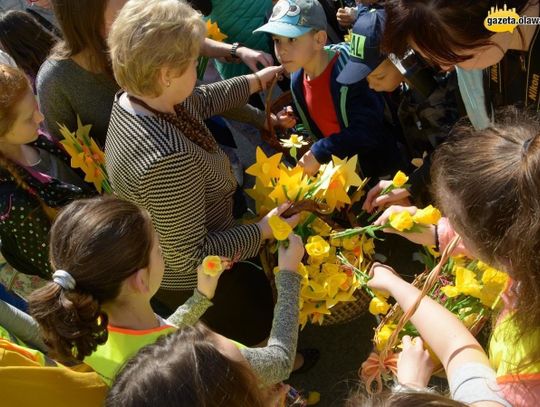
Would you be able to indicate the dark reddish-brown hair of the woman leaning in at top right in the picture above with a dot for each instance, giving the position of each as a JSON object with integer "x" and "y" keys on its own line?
{"x": 440, "y": 27}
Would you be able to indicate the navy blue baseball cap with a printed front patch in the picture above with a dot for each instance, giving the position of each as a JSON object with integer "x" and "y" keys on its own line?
{"x": 365, "y": 53}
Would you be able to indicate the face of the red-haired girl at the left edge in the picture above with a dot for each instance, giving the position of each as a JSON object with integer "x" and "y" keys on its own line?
{"x": 26, "y": 125}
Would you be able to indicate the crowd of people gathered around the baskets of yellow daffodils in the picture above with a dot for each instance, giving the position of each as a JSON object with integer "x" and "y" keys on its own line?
{"x": 104, "y": 300}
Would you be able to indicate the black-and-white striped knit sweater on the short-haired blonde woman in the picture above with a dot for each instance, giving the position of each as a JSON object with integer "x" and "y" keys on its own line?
{"x": 187, "y": 190}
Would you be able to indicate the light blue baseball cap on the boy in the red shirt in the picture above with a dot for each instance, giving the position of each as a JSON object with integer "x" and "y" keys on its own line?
{"x": 294, "y": 18}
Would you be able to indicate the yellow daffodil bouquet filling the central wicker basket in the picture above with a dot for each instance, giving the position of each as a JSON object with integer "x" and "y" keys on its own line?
{"x": 334, "y": 267}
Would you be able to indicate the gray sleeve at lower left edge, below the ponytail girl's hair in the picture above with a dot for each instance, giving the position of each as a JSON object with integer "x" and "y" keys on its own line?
{"x": 22, "y": 325}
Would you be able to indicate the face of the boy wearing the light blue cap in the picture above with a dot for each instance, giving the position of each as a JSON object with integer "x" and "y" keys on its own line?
{"x": 296, "y": 53}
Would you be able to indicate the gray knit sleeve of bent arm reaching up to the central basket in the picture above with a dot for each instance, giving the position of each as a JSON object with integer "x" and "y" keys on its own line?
{"x": 274, "y": 362}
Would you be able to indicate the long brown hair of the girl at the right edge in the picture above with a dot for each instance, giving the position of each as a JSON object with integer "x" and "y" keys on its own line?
{"x": 488, "y": 184}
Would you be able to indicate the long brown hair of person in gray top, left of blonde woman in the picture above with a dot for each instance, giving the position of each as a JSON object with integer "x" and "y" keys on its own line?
{"x": 82, "y": 22}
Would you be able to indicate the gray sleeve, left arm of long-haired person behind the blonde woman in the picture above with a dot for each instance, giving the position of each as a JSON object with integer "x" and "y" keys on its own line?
{"x": 53, "y": 102}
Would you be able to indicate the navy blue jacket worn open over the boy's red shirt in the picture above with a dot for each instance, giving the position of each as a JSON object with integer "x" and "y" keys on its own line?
{"x": 360, "y": 112}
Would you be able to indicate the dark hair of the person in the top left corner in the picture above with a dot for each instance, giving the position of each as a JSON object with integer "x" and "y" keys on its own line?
{"x": 25, "y": 40}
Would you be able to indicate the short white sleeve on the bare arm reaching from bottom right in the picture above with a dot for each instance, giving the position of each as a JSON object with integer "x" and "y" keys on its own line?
{"x": 475, "y": 382}
